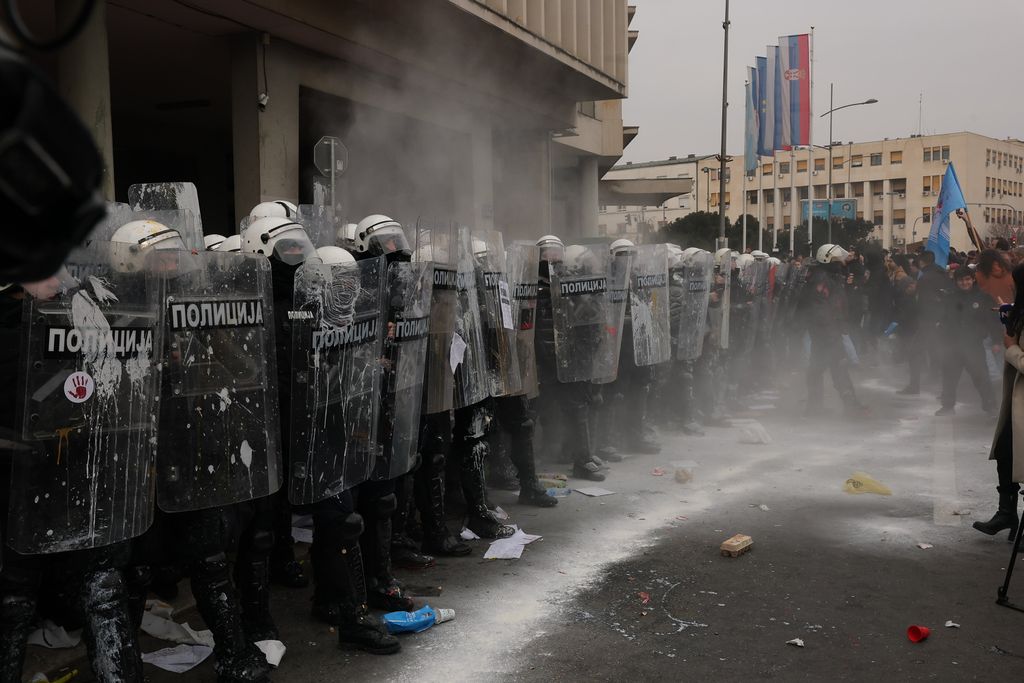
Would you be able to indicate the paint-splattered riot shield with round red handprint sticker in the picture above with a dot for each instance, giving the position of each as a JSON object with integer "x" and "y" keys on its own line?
{"x": 90, "y": 386}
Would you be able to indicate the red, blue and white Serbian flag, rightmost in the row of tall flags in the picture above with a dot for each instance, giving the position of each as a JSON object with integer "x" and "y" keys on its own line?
{"x": 794, "y": 97}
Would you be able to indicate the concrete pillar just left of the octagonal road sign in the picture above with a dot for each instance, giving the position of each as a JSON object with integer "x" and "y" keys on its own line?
{"x": 265, "y": 144}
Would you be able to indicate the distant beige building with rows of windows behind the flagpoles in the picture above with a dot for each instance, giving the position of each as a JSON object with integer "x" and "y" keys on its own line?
{"x": 893, "y": 183}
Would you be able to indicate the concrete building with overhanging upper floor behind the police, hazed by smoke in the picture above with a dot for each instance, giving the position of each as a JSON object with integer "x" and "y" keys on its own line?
{"x": 496, "y": 113}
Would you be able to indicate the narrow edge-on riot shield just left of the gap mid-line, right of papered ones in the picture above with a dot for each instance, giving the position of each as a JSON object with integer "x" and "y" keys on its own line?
{"x": 523, "y": 260}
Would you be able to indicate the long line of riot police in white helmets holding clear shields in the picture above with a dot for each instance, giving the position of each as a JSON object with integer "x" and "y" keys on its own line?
{"x": 180, "y": 396}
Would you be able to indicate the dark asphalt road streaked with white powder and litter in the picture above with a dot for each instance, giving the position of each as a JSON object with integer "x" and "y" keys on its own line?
{"x": 633, "y": 585}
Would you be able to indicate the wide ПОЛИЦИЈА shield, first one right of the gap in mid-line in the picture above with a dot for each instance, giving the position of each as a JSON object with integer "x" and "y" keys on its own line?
{"x": 581, "y": 311}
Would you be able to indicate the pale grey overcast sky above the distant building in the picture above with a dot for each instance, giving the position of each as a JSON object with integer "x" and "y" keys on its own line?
{"x": 965, "y": 57}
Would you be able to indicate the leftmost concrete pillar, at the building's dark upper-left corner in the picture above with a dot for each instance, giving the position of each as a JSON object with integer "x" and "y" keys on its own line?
{"x": 84, "y": 80}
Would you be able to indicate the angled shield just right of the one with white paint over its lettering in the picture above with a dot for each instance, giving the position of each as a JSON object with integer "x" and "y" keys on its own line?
{"x": 407, "y": 303}
